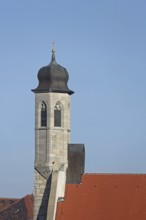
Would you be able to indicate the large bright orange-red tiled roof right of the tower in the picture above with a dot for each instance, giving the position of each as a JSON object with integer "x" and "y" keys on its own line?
{"x": 105, "y": 197}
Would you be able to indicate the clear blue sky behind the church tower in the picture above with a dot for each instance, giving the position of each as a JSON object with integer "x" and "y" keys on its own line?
{"x": 102, "y": 44}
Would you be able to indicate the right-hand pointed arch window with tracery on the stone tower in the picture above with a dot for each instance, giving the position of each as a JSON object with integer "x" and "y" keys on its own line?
{"x": 58, "y": 114}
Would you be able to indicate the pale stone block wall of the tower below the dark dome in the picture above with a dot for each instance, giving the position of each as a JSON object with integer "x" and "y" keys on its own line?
{"x": 51, "y": 146}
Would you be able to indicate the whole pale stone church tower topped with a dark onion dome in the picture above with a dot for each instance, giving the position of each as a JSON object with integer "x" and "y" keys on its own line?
{"x": 52, "y": 136}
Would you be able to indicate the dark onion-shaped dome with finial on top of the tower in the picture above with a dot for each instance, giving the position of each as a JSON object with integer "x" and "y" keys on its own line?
{"x": 53, "y": 78}
